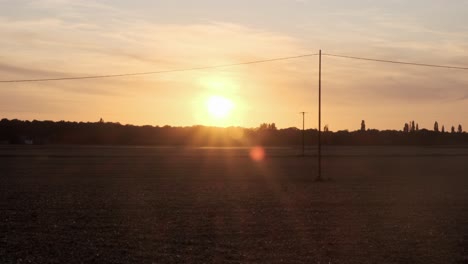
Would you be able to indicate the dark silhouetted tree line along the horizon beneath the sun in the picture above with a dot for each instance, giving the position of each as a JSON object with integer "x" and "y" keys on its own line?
{"x": 108, "y": 133}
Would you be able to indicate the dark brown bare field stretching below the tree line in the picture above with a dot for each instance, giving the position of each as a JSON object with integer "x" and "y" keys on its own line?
{"x": 69, "y": 204}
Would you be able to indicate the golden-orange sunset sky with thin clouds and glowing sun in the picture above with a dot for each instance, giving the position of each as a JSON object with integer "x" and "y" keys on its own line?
{"x": 67, "y": 38}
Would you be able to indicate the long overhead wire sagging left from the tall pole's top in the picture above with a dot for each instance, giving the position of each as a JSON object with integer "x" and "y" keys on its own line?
{"x": 158, "y": 72}
